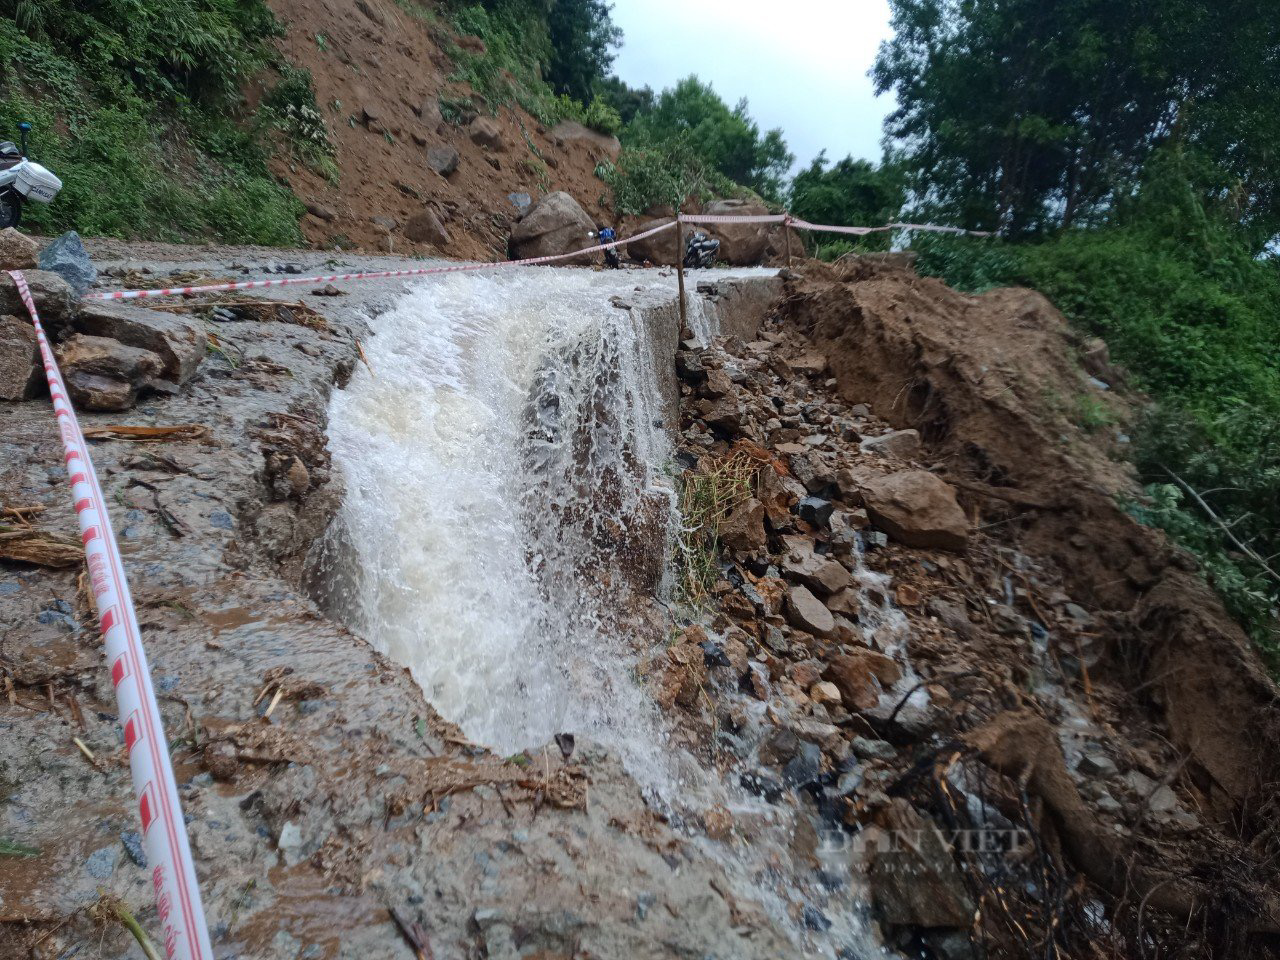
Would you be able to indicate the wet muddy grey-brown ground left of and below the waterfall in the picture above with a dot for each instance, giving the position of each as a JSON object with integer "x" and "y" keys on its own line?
{"x": 318, "y": 812}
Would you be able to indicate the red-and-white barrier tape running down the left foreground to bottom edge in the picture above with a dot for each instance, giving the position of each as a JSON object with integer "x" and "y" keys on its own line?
{"x": 164, "y": 833}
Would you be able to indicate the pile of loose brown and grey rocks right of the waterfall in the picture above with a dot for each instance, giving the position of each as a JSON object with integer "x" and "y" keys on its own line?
{"x": 857, "y": 623}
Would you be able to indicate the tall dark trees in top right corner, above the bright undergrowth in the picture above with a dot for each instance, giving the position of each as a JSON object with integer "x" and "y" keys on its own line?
{"x": 1028, "y": 115}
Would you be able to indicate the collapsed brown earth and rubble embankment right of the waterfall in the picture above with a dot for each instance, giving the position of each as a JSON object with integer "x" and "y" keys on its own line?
{"x": 1073, "y": 737}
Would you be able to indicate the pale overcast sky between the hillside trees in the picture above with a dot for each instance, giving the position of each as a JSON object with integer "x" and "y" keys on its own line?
{"x": 801, "y": 63}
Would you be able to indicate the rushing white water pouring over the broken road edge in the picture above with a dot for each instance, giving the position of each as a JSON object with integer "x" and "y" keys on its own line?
{"x": 506, "y": 472}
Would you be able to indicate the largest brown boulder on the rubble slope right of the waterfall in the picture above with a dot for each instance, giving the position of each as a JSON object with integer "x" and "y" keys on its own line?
{"x": 918, "y": 510}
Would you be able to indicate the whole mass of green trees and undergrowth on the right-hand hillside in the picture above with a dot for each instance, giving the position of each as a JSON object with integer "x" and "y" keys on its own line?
{"x": 1132, "y": 180}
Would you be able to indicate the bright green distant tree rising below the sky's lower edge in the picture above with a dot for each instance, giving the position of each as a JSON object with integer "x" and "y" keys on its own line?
{"x": 730, "y": 140}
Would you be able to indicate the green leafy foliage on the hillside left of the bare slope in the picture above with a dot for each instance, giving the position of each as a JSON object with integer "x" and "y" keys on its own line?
{"x": 135, "y": 107}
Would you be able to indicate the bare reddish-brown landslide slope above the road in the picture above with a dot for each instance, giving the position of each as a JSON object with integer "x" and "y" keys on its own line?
{"x": 383, "y": 79}
